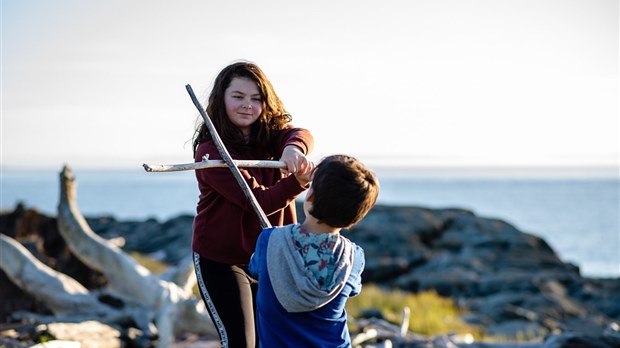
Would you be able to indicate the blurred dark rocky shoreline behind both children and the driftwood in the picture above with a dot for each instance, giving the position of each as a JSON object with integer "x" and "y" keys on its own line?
{"x": 511, "y": 282}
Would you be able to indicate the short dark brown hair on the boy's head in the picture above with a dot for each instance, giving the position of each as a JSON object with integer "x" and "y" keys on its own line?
{"x": 343, "y": 191}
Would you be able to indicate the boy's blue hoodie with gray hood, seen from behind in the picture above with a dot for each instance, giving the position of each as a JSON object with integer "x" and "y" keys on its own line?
{"x": 292, "y": 309}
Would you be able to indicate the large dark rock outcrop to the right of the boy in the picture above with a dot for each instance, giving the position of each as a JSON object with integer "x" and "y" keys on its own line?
{"x": 499, "y": 273}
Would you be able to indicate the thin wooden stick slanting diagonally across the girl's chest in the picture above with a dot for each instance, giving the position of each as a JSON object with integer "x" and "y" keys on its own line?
{"x": 229, "y": 161}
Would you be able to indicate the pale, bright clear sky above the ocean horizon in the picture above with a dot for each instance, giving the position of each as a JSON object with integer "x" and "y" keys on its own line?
{"x": 434, "y": 82}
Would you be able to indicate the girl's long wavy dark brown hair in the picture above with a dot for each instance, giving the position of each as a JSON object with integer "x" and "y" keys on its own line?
{"x": 262, "y": 132}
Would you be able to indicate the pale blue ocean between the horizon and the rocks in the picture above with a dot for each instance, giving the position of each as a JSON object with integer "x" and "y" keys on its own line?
{"x": 579, "y": 216}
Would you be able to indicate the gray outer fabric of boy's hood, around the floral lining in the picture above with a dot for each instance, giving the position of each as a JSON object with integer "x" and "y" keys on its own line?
{"x": 294, "y": 285}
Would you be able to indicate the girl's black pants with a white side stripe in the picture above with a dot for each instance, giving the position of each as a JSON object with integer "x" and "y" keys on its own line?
{"x": 229, "y": 294}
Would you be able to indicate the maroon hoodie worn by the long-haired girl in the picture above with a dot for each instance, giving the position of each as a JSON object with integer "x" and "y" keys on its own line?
{"x": 226, "y": 227}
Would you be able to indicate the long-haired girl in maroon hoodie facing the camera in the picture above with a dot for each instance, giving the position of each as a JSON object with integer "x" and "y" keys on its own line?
{"x": 253, "y": 124}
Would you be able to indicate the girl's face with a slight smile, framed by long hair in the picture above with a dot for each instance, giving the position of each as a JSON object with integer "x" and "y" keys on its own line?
{"x": 243, "y": 103}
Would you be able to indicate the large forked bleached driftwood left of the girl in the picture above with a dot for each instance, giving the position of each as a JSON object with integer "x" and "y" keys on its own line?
{"x": 166, "y": 301}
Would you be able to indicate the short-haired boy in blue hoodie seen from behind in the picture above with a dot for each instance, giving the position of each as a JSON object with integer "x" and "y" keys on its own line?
{"x": 306, "y": 272}
